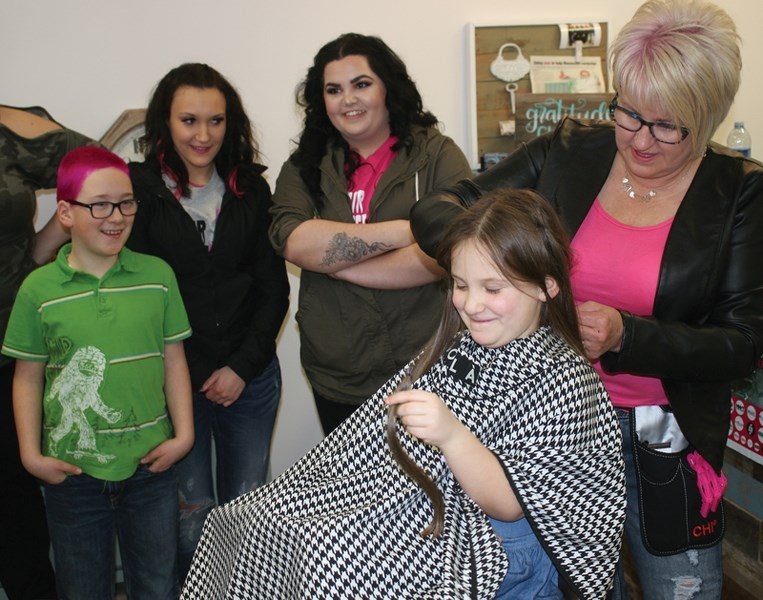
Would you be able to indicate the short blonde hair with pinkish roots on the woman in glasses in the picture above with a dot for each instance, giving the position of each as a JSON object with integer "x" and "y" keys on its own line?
{"x": 684, "y": 56}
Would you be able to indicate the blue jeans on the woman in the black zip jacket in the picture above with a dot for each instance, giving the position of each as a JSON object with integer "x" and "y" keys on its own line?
{"x": 242, "y": 434}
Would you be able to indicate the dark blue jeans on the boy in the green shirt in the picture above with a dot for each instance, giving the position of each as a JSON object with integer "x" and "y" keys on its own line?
{"x": 83, "y": 514}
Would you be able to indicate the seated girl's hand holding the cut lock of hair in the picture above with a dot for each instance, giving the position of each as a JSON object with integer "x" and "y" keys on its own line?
{"x": 425, "y": 416}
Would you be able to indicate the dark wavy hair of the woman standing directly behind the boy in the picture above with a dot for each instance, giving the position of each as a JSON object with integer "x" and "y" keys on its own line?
{"x": 235, "y": 162}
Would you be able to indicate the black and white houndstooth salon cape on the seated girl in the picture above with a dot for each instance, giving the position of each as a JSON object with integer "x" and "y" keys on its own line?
{"x": 345, "y": 521}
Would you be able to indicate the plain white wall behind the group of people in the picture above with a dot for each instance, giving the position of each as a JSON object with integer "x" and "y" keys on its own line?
{"x": 87, "y": 60}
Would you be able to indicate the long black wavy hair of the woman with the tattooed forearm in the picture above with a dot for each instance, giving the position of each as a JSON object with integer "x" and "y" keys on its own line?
{"x": 403, "y": 103}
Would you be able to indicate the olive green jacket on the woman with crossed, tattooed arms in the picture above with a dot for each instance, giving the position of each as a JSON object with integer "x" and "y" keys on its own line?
{"x": 354, "y": 338}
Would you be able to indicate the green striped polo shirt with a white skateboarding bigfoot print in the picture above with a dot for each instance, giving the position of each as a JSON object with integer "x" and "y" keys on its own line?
{"x": 103, "y": 344}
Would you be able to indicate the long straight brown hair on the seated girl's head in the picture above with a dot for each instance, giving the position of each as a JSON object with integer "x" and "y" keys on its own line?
{"x": 522, "y": 235}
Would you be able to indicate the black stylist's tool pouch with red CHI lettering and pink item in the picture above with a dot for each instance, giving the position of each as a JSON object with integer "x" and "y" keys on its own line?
{"x": 679, "y": 494}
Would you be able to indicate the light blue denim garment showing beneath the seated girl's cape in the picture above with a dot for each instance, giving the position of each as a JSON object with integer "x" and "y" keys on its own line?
{"x": 531, "y": 573}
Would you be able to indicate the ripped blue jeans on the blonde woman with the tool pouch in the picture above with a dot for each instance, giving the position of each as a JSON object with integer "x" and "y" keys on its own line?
{"x": 694, "y": 574}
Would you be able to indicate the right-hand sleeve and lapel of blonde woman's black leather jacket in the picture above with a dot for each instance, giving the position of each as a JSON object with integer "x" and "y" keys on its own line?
{"x": 709, "y": 300}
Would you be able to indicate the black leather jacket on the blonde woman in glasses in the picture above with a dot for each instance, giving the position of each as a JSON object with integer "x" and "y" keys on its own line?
{"x": 707, "y": 327}
